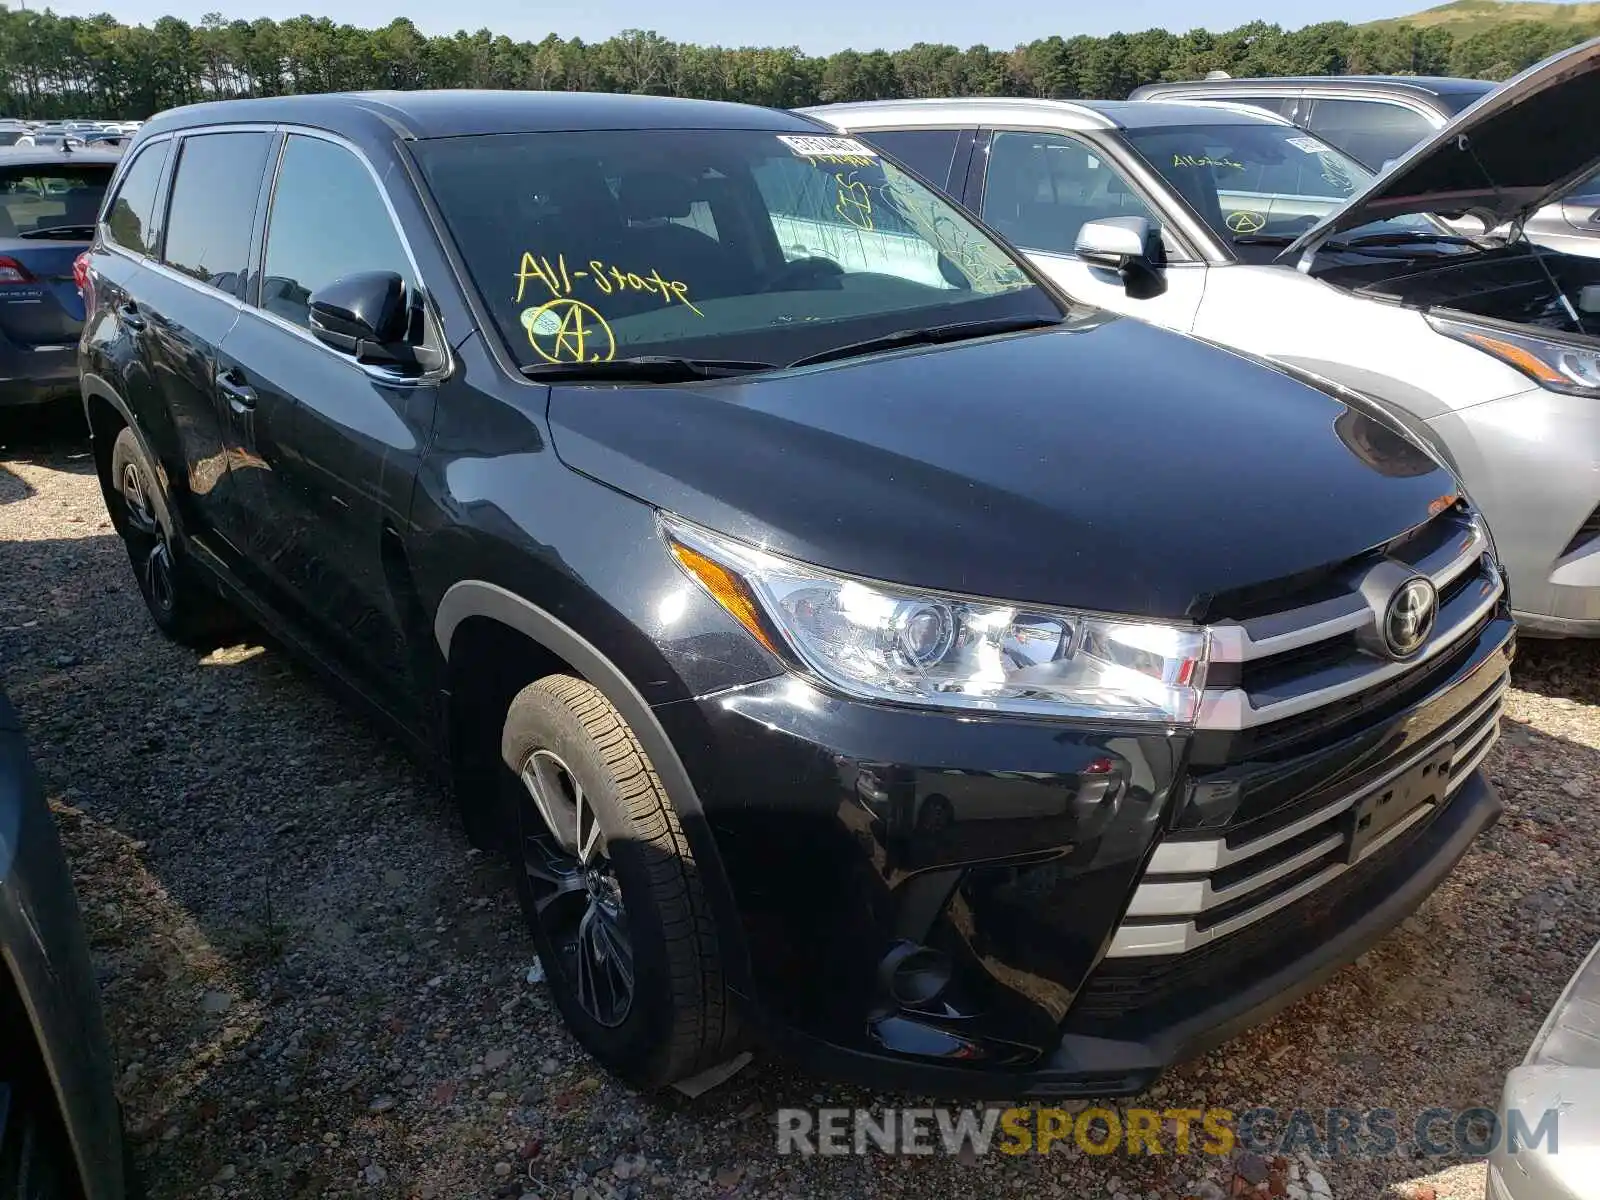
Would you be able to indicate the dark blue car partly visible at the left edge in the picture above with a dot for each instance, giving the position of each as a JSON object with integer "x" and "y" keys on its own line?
{"x": 49, "y": 202}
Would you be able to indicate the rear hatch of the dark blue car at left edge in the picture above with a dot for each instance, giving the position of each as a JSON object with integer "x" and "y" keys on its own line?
{"x": 47, "y": 220}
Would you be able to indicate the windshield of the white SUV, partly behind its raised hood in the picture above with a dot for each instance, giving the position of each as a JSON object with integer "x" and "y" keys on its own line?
{"x": 1262, "y": 186}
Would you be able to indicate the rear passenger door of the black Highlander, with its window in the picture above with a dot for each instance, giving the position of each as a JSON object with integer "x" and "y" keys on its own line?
{"x": 185, "y": 306}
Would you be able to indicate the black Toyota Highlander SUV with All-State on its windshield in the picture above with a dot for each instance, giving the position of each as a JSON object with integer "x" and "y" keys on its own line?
{"x": 852, "y": 642}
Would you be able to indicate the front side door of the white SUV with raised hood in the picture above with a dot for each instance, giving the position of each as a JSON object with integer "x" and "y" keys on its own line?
{"x": 1039, "y": 190}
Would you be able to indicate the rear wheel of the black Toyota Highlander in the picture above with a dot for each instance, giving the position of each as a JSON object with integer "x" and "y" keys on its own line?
{"x": 183, "y": 607}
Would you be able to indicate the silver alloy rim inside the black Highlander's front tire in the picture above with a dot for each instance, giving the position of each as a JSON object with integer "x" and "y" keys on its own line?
{"x": 577, "y": 894}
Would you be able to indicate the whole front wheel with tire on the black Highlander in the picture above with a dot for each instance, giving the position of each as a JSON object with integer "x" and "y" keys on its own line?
{"x": 610, "y": 889}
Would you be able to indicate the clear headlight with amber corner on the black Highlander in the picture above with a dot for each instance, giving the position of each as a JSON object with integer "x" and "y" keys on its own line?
{"x": 887, "y": 642}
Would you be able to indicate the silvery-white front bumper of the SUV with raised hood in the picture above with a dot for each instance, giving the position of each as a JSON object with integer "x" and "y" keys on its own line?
{"x": 1532, "y": 465}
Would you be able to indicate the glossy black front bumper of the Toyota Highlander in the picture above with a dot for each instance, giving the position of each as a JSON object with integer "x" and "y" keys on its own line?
{"x": 934, "y": 903}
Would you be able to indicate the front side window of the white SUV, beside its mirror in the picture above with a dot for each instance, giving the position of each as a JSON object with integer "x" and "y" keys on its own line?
{"x": 1042, "y": 188}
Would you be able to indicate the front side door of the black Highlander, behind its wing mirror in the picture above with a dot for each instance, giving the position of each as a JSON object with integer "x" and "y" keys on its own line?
{"x": 334, "y": 446}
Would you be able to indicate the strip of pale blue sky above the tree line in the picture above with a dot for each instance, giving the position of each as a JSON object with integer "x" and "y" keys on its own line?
{"x": 817, "y": 26}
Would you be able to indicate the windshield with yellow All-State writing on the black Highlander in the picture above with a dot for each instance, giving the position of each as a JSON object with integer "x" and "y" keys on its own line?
{"x": 711, "y": 244}
